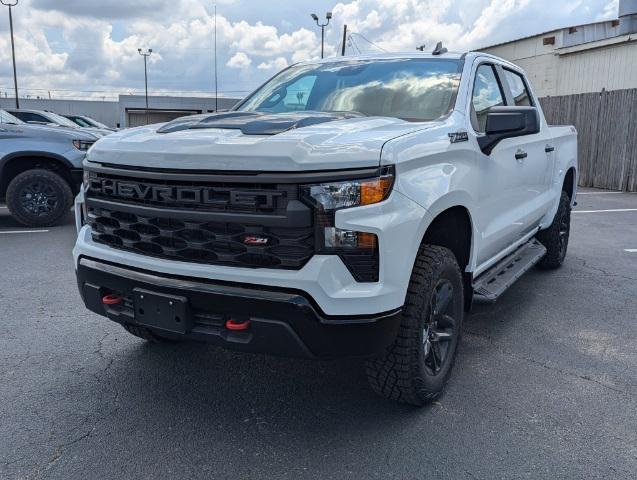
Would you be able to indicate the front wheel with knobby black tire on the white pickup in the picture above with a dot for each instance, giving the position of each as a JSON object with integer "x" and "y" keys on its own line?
{"x": 417, "y": 366}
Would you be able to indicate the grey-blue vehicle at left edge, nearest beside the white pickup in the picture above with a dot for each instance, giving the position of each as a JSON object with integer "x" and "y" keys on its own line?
{"x": 40, "y": 169}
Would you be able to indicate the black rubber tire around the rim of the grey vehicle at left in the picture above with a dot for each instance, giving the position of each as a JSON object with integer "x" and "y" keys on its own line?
{"x": 54, "y": 183}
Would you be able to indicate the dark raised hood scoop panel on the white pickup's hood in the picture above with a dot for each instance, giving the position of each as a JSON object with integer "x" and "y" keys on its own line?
{"x": 255, "y": 123}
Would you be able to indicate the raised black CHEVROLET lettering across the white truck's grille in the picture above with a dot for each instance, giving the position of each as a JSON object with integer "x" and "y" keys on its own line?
{"x": 178, "y": 194}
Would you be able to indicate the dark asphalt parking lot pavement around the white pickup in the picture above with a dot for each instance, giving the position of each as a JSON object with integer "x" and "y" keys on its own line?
{"x": 545, "y": 384}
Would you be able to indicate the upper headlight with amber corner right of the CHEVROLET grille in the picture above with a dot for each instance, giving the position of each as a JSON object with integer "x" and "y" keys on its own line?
{"x": 352, "y": 193}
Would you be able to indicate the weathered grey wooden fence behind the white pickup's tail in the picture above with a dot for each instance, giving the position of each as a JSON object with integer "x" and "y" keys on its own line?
{"x": 607, "y": 126}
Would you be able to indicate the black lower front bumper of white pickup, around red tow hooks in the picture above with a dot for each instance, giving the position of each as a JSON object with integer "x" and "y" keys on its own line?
{"x": 282, "y": 321}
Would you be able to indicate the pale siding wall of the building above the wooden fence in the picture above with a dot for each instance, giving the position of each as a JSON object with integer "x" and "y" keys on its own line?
{"x": 609, "y": 64}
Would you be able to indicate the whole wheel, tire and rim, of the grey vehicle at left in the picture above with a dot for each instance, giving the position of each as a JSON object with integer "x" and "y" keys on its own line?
{"x": 39, "y": 198}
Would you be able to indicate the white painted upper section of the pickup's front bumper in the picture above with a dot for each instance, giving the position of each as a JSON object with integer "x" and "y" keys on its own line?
{"x": 398, "y": 222}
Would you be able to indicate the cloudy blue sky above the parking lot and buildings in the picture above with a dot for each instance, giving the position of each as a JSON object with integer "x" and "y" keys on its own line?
{"x": 88, "y": 48}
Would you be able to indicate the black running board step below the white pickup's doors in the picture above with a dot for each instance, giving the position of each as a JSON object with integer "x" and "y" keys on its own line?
{"x": 495, "y": 281}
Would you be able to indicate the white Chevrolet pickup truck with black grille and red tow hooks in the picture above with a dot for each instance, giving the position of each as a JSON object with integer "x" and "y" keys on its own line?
{"x": 348, "y": 207}
